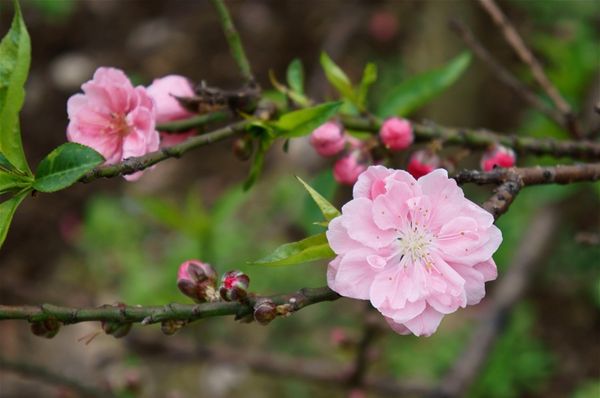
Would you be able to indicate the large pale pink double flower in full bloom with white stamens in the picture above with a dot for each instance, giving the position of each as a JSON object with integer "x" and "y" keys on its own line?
{"x": 417, "y": 249}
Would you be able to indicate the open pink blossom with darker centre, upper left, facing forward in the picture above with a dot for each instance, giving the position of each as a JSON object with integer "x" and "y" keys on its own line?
{"x": 113, "y": 117}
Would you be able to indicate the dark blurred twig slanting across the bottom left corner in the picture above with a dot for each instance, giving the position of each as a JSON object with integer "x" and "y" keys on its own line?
{"x": 47, "y": 376}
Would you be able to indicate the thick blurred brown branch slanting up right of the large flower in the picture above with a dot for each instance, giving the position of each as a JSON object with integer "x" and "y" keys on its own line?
{"x": 510, "y": 288}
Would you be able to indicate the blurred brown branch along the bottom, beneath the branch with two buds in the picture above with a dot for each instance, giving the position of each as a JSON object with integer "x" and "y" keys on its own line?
{"x": 317, "y": 371}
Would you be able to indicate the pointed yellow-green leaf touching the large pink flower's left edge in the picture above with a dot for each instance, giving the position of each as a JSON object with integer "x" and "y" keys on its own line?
{"x": 310, "y": 249}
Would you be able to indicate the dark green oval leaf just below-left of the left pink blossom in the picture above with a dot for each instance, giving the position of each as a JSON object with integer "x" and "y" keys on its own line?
{"x": 64, "y": 166}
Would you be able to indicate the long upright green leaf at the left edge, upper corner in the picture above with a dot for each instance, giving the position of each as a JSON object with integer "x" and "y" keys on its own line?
{"x": 15, "y": 56}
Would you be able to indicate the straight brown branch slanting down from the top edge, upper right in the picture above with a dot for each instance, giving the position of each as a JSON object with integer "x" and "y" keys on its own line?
{"x": 518, "y": 45}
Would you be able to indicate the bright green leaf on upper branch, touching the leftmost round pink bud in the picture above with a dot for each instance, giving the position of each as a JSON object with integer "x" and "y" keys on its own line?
{"x": 304, "y": 121}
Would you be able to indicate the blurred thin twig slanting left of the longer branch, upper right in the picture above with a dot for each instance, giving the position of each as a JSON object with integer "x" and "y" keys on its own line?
{"x": 503, "y": 75}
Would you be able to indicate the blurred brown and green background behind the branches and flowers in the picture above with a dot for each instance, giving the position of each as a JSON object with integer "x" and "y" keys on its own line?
{"x": 112, "y": 241}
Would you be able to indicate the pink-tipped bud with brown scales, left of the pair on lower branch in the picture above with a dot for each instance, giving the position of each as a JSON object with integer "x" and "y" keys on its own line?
{"x": 197, "y": 280}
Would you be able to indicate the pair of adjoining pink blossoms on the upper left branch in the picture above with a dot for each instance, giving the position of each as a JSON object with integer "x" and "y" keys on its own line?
{"x": 119, "y": 120}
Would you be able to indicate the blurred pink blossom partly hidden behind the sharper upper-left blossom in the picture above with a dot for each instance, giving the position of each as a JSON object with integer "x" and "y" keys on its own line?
{"x": 164, "y": 91}
